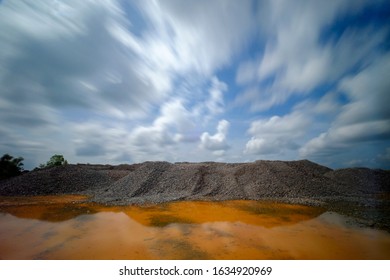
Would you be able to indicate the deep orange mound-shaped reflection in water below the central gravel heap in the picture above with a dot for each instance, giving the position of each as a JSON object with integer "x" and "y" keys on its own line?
{"x": 266, "y": 214}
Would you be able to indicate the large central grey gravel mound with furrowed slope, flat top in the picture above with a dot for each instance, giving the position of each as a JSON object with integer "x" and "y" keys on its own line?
{"x": 162, "y": 181}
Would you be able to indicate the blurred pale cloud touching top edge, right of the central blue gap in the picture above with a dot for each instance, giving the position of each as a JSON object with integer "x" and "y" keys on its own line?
{"x": 296, "y": 55}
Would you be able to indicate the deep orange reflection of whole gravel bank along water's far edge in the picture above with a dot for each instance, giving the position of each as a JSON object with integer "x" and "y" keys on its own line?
{"x": 267, "y": 214}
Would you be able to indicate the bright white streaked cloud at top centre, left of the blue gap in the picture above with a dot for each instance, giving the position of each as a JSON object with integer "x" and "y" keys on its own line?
{"x": 194, "y": 33}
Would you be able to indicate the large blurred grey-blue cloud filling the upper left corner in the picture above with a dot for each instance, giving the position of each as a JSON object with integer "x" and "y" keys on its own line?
{"x": 65, "y": 56}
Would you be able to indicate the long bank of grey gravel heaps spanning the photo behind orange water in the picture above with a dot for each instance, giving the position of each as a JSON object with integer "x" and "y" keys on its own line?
{"x": 359, "y": 192}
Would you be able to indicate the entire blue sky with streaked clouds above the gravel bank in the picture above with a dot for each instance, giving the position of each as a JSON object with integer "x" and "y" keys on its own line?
{"x": 110, "y": 81}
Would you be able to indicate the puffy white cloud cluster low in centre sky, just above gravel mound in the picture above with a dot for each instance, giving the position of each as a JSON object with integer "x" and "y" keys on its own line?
{"x": 178, "y": 125}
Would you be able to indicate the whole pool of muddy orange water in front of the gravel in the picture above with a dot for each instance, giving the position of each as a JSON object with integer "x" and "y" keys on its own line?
{"x": 67, "y": 227}
